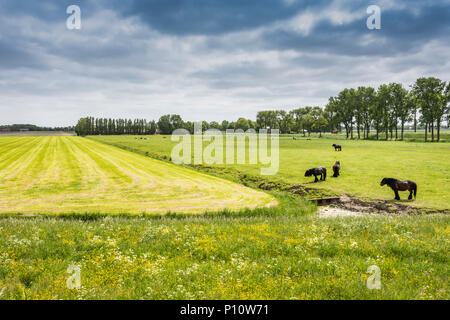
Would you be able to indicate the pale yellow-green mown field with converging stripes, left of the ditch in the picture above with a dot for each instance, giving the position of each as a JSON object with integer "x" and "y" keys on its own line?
{"x": 54, "y": 175}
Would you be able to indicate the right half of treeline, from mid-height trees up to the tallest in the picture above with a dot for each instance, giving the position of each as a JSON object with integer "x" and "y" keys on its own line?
{"x": 358, "y": 111}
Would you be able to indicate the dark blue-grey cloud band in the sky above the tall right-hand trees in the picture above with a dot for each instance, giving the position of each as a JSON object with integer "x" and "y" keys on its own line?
{"x": 402, "y": 31}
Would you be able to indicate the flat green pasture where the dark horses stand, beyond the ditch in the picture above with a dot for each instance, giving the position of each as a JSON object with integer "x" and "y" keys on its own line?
{"x": 364, "y": 164}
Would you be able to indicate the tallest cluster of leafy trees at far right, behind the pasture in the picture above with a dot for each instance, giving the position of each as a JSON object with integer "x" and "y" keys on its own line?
{"x": 389, "y": 108}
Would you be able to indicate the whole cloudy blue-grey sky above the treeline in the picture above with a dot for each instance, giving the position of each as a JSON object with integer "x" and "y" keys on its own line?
{"x": 207, "y": 59}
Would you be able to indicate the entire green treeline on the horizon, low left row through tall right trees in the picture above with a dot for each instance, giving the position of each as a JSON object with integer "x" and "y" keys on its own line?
{"x": 385, "y": 110}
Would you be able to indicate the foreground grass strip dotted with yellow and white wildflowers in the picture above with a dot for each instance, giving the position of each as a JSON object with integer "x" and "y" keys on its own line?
{"x": 284, "y": 257}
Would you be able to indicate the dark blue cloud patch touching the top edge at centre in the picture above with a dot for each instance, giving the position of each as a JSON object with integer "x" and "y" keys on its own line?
{"x": 214, "y": 16}
